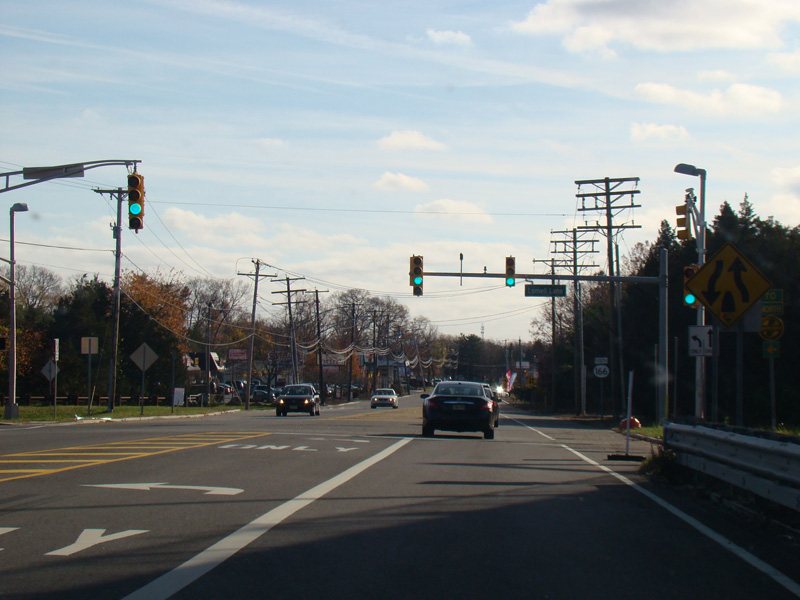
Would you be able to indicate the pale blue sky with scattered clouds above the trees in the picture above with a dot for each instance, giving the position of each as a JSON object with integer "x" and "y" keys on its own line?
{"x": 333, "y": 140}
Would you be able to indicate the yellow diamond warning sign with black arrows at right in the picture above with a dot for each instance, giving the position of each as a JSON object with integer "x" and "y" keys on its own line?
{"x": 728, "y": 284}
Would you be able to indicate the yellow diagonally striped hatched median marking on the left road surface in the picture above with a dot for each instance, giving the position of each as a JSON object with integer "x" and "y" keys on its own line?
{"x": 113, "y": 451}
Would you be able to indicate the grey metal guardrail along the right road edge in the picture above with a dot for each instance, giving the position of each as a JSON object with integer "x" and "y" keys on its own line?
{"x": 767, "y": 467}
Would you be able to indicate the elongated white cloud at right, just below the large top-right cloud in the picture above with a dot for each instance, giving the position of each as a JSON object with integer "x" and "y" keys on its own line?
{"x": 738, "y": 99}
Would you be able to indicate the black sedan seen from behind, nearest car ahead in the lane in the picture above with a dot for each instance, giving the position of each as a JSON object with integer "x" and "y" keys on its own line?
{"x": 459, "y": 406}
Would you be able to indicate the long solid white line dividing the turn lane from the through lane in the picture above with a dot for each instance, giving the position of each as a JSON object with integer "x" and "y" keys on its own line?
{"x": 194, "y": 568}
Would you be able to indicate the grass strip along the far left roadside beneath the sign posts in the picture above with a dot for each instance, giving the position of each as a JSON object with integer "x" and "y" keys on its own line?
{"x": 68, "y": 412}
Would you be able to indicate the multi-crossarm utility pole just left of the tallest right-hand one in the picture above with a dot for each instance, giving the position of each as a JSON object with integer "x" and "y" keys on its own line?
{"x": 572, "y": 245}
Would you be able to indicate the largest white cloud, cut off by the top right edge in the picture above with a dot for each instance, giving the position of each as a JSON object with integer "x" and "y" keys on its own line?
{"x": 678, "y": 25}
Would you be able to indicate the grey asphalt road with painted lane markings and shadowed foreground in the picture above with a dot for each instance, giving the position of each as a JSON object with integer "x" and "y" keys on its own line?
{"x": 356, "y": 504}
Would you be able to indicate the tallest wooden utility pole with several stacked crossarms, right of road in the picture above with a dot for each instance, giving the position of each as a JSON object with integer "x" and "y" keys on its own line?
{"x": 608, "y": 199}
